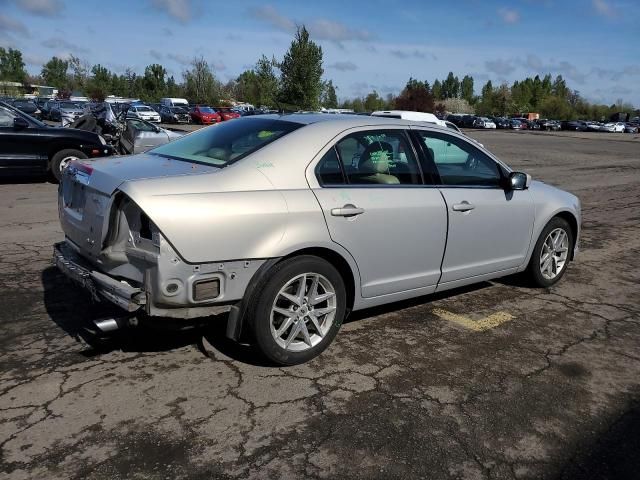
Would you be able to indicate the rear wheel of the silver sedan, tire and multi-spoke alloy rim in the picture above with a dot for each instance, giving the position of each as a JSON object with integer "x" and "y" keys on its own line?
{"x": 265, "y": 323}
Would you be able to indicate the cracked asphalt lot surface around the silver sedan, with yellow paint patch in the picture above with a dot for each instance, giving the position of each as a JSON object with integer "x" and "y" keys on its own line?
{"x": 549, "y": 389}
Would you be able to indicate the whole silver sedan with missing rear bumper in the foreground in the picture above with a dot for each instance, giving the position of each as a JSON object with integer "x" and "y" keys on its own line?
{"x": 291, "y": 222}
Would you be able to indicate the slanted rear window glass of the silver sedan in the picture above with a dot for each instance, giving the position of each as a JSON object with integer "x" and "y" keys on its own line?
{"x": 226, "y": 143}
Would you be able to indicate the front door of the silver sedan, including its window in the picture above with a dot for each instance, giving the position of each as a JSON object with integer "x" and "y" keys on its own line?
{"x": 489, "y": 228}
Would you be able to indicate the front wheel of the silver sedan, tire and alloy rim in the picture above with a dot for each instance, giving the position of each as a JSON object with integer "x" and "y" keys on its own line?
{"x": 560, "y": 254}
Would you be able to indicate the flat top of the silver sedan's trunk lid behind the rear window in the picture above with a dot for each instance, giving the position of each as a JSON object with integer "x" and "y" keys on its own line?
{"x": 107, "y": 174}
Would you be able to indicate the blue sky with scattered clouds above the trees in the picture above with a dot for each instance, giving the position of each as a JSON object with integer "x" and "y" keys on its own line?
{"x": 367, "y": 44}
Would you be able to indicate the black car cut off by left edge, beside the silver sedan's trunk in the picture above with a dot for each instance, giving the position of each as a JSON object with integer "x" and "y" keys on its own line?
{"x": 28, "y": 146}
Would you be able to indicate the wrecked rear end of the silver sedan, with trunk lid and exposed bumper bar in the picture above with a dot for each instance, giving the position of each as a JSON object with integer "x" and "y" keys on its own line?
{"x": 117, "y": 253}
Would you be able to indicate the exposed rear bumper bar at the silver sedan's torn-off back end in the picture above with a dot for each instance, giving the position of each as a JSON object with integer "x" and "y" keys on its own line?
{"x": 99, "y": 285}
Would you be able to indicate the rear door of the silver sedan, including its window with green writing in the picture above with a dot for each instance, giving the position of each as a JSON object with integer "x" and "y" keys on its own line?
{"x": 378, "y": 208}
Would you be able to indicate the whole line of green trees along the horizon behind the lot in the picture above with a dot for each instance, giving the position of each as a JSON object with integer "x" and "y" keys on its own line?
{"x": 296, "y": 82}
